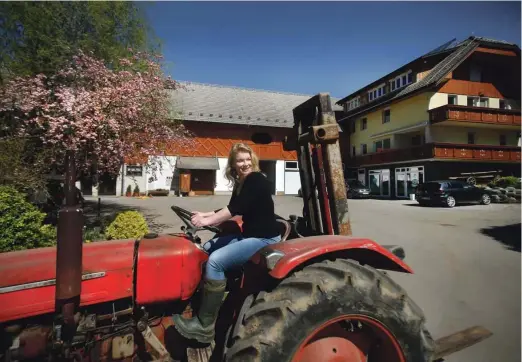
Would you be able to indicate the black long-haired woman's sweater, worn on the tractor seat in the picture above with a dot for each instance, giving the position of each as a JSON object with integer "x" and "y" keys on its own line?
{"x": 254, "y": 202}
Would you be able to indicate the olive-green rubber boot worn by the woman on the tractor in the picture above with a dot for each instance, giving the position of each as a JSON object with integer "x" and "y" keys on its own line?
{"x": 202, "y": 326}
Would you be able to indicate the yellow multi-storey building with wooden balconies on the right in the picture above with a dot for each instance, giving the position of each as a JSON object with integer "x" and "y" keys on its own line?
{"x": 451, "y": 113}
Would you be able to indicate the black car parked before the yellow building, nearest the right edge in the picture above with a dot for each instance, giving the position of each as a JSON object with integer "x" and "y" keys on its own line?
{"x": 450, "y": 192}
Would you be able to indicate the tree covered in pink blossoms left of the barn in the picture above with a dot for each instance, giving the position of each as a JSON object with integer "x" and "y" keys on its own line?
{"x": 100, "y": 115}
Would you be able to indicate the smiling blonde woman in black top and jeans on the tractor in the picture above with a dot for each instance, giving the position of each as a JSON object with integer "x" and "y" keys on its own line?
{"x": 251, "y": 198}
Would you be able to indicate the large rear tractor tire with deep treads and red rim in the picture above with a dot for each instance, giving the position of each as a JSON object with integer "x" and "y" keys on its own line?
{"x": 331, "y": 311}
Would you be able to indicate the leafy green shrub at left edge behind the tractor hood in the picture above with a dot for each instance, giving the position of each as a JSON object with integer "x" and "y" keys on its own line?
{"x": 21, "y": 223}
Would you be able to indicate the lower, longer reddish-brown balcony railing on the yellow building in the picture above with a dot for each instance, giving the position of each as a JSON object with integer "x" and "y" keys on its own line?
{"x": 440, "y": 151}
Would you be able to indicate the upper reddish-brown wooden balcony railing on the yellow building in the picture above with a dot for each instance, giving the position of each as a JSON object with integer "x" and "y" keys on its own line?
{"x": 453, "y": 112}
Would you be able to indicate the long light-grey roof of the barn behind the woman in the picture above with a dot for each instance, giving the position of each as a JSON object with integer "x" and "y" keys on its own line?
{"x": 224, "y": 104}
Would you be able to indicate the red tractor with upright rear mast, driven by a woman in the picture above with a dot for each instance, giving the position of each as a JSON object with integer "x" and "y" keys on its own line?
{"x": 318, "y": 295}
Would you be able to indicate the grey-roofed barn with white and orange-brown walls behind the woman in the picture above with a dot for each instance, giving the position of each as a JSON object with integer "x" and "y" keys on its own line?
{"x": 218, "y": 117}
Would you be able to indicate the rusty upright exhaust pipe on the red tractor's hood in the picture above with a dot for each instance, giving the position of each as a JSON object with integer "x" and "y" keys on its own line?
{"x": 69, "y": 253}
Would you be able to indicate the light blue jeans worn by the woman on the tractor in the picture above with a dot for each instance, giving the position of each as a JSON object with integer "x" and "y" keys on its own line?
{"x": 231, "y": 251}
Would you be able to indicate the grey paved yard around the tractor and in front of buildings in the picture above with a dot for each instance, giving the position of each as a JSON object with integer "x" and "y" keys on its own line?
{"x": 463, "y": 276}
